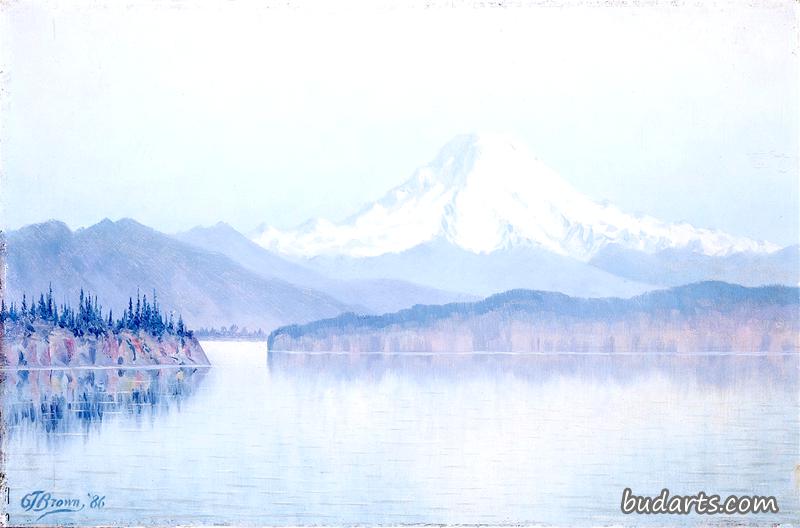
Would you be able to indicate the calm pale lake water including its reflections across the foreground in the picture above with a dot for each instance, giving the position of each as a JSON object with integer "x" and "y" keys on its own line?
{"x": 326, "y": 439}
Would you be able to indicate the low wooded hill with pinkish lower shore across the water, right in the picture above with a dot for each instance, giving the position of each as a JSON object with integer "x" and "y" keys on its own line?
{"x": 701, "y": 317}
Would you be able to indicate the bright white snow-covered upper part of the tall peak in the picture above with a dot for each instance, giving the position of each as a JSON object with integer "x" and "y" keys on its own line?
{"x": 485, "y": 193}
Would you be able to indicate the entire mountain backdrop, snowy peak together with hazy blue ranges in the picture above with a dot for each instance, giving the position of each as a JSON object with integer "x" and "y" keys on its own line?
{"x": 485, "y": 216}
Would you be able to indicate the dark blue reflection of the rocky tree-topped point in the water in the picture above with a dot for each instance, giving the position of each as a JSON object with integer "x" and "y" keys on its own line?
{"x": 62, "y": 401}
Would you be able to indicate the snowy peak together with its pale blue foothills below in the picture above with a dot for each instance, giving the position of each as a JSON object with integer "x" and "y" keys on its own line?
{"x": 486, "y": 216}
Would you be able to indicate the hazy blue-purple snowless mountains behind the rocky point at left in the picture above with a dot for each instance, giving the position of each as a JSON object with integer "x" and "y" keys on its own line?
{"x": 212, "y": 276}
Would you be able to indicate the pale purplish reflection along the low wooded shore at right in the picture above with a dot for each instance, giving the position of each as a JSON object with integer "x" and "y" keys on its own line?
{"x": 712, "y": 371}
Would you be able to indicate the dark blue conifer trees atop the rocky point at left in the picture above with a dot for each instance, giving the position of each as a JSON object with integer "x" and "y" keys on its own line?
{"x": 90, "y": 318}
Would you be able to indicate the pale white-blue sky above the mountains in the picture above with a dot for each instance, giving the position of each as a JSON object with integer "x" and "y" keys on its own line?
{"x": 181, "y": 114}
